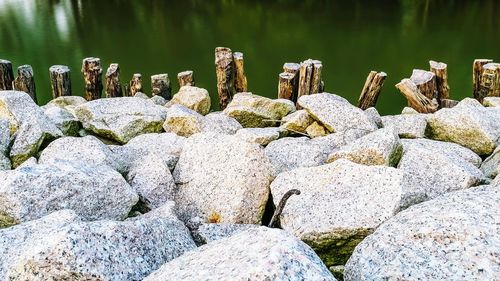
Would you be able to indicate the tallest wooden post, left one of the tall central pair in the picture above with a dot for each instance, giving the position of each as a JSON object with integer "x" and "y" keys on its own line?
{"x": 224, "y": 68}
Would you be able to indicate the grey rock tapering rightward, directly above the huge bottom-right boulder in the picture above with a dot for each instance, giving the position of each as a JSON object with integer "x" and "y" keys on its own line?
{"x": 430, "y": 173}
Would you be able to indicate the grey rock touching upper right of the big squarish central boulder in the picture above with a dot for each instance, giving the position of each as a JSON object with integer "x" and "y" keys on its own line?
{"x": 290, "y": 153}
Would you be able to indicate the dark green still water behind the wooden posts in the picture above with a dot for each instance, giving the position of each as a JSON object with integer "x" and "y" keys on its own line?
{"x": 349, "y": 37}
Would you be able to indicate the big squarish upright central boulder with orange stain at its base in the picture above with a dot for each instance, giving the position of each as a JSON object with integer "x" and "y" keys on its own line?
{"x": 221, "y": 178}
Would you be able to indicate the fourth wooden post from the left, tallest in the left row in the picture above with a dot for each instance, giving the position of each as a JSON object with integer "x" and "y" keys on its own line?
{"x": 92, "y": 75}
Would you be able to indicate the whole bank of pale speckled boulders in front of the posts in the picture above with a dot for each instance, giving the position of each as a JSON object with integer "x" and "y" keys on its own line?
{"x": 134, "y": 188}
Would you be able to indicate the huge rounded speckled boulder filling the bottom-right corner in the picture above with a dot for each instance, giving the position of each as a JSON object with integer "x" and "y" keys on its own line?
{"x": 454, "y": 237}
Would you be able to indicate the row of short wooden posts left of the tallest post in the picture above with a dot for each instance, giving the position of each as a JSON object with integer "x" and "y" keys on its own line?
{"x": 60, "y": 79}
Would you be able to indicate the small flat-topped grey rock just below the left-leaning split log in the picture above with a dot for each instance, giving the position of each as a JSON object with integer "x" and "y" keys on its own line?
{"x": 408, "y": 126}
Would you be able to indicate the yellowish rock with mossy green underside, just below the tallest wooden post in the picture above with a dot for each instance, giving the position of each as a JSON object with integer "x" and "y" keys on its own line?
{"x": 253, "y": 111}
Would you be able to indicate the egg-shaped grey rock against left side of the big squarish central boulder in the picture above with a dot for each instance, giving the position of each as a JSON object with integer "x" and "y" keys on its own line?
{"x": 150, "y": 177}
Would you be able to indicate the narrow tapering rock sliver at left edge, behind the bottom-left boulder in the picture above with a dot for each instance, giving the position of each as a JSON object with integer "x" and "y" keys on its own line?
{"x": 20, "y": 238}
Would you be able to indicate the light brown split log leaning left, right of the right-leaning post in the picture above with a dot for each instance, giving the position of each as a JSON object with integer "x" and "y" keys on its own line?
{"x": 416, "y": 99}
